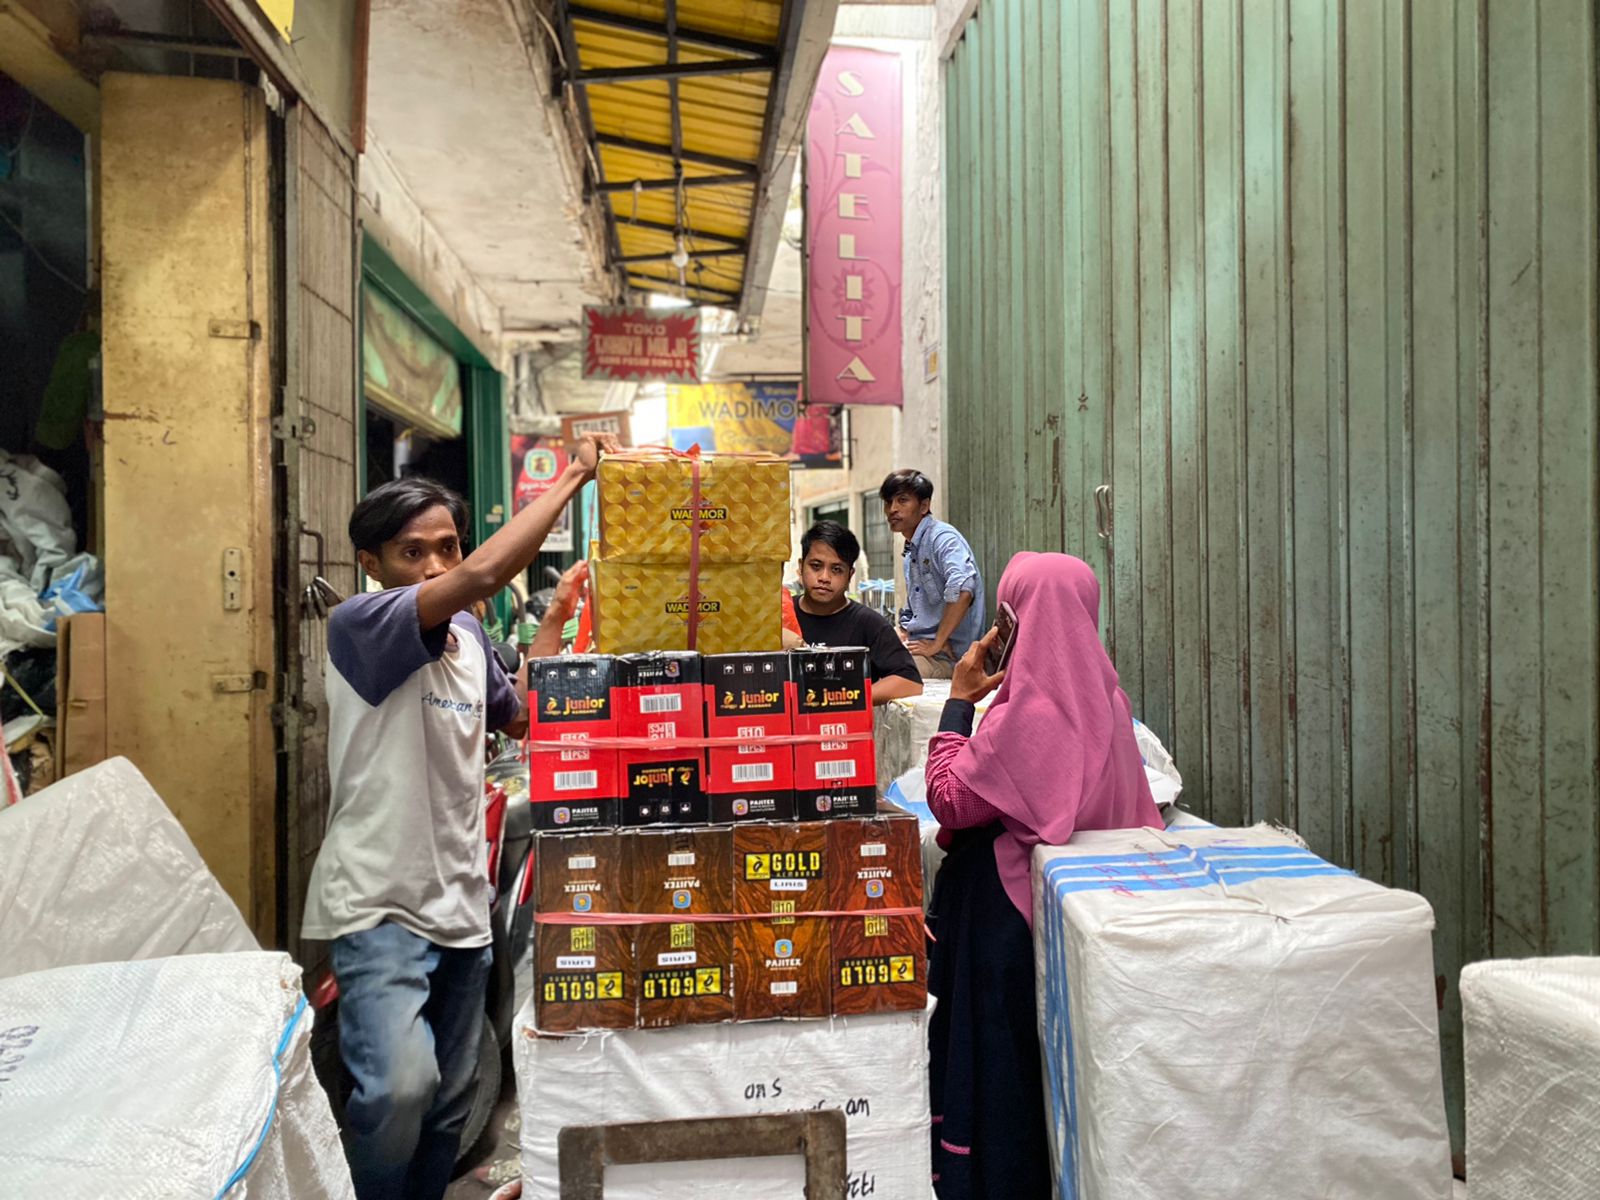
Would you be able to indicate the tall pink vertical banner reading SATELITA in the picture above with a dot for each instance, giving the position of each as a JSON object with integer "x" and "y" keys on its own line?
{"x": 854, "y": 231}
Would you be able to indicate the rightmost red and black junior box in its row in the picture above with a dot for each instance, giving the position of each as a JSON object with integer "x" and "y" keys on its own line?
{"x": 839, "y": 775}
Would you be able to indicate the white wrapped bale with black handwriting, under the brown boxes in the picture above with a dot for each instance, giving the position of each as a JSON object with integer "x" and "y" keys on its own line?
{"x": 874, "y": 1068}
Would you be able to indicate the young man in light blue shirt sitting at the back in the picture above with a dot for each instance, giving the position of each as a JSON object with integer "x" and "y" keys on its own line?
{"x": 945, "y": 591}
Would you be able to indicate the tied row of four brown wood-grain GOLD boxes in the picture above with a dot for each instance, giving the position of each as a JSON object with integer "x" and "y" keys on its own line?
{"x": 774, "y": 921}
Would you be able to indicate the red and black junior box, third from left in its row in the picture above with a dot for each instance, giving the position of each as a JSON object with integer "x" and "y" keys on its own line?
{"x": 751, "y": 697}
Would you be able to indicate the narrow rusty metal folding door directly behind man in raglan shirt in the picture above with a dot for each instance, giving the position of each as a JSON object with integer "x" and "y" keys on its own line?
{"x": 316, "y": 433}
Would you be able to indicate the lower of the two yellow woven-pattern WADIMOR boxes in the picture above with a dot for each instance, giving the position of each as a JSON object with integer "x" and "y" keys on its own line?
{"x": 642, "y": 607}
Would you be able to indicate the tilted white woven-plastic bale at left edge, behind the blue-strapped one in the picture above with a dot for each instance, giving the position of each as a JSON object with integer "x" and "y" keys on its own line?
{"x": 97, "y": 870}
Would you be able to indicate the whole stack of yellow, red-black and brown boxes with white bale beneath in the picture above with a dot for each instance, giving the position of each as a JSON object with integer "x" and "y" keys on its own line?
{"x": 718, "y": 890}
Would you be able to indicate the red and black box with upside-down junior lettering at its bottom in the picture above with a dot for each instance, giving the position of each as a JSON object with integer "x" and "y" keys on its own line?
{"x": 662, "y": 697}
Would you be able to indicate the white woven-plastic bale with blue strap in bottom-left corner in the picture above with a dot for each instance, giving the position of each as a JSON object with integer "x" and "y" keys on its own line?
{"x": 170, "y": 1078}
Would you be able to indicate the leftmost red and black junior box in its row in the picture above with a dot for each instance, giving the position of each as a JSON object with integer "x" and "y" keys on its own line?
{"x": 570, "y": 700}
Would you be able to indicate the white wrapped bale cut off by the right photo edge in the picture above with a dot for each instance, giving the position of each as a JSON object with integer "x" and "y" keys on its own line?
{"x": 1534, "y": 1079}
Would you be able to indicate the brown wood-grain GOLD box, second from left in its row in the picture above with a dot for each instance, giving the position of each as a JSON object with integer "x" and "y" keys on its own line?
{"x": 684, "y": 970}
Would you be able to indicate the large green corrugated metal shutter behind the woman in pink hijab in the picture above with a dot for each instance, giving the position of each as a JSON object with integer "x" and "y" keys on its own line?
{"x": 1314, "y": 289}
